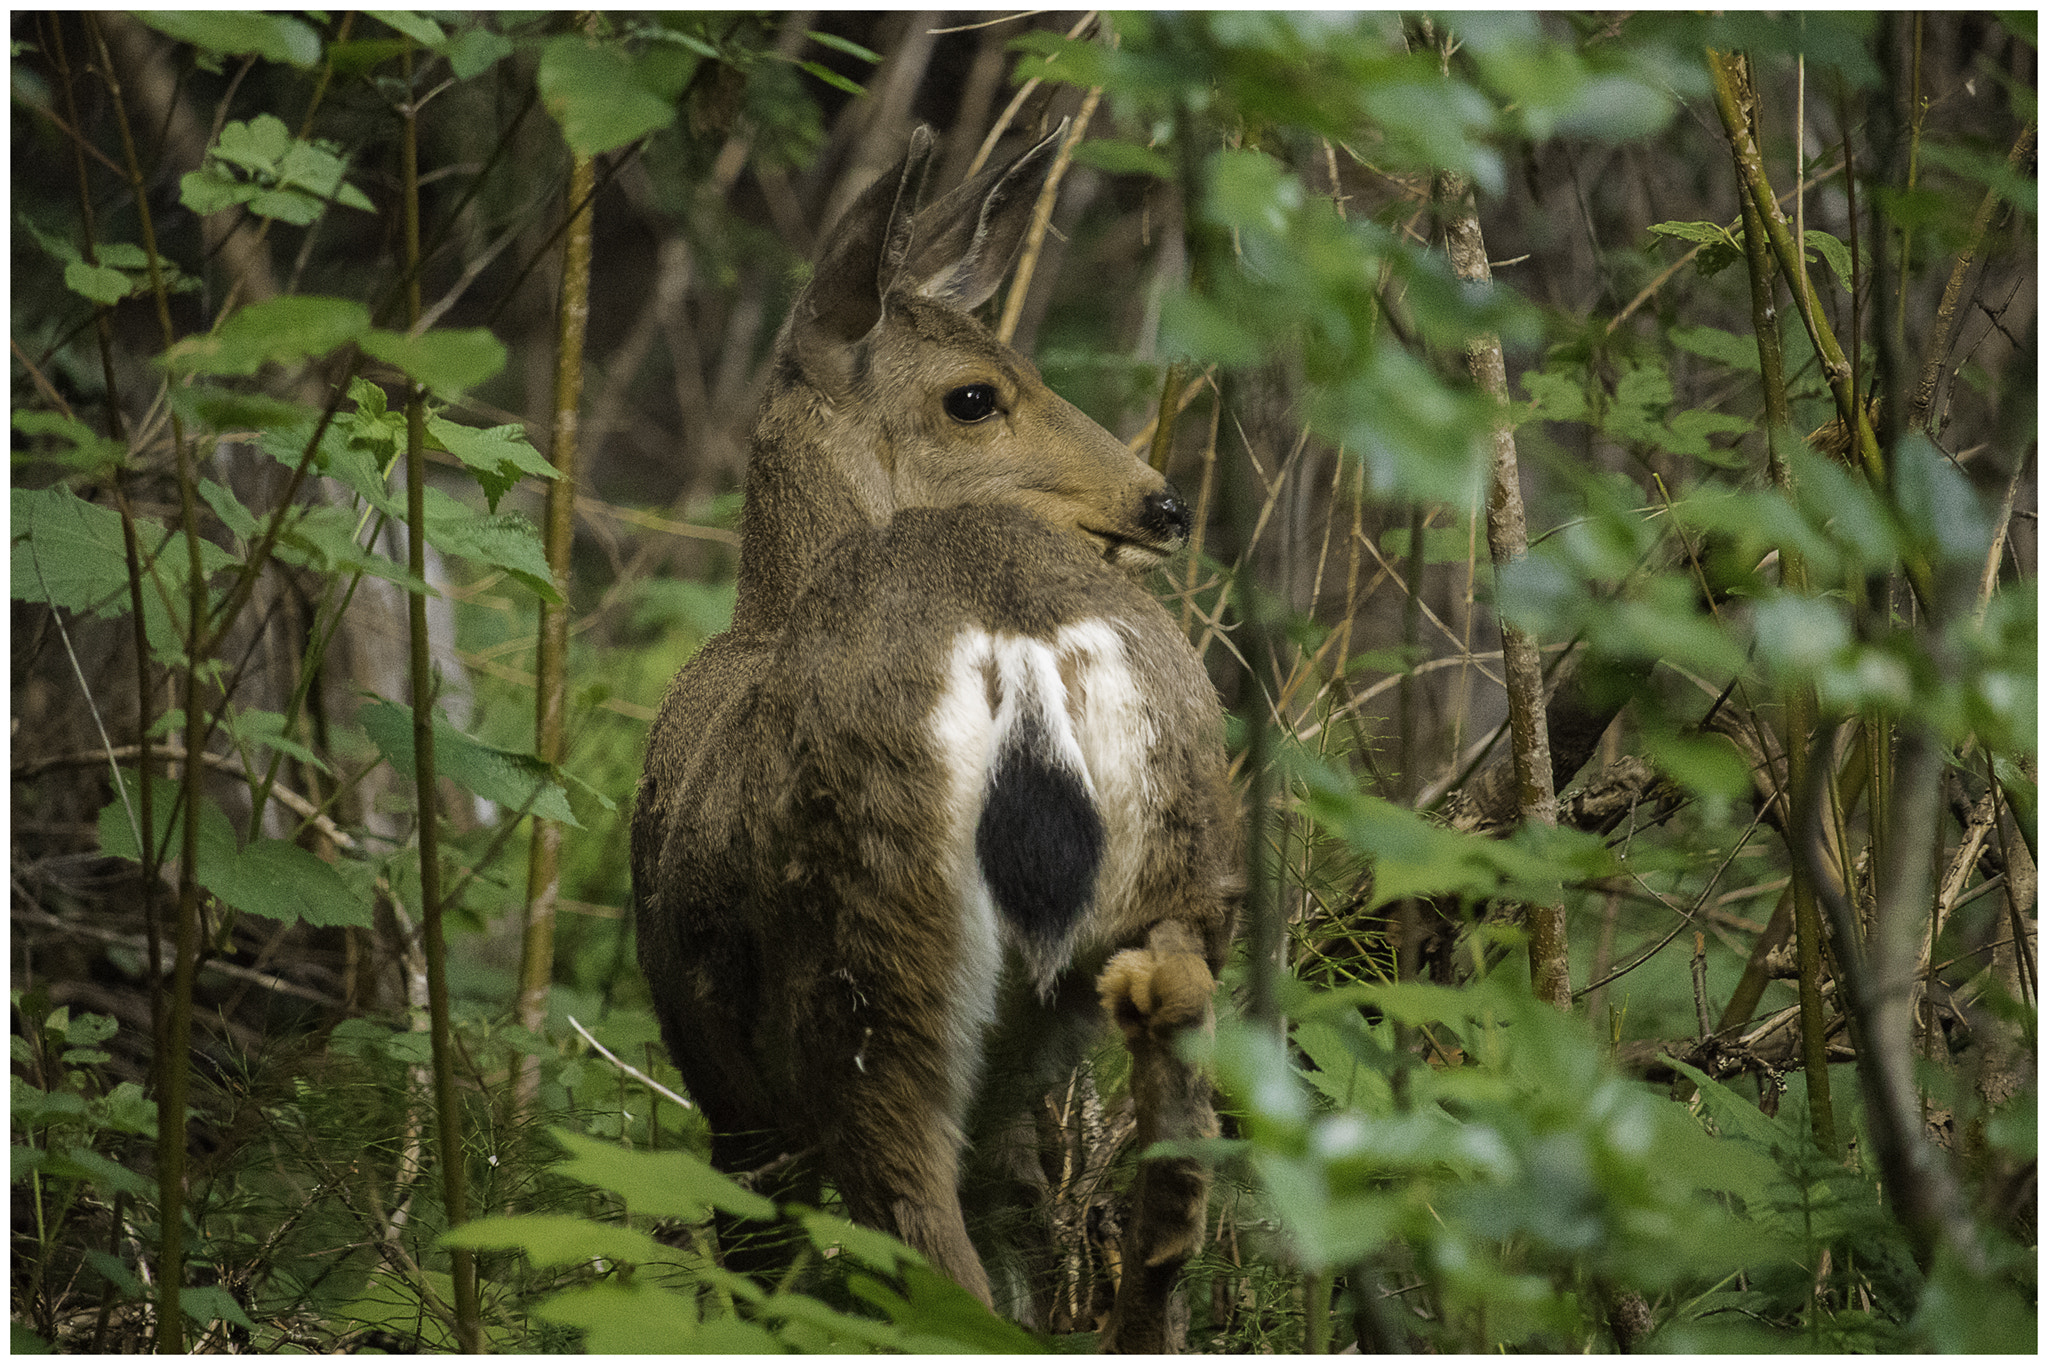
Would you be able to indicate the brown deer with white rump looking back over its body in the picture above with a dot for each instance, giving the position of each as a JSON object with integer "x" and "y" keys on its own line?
{"x": 951, "y": 791}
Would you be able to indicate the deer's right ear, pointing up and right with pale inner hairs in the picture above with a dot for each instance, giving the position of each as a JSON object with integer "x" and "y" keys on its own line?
{"x": 966, "y": 243}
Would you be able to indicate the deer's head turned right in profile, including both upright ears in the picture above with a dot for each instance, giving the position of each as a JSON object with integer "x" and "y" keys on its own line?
{"x": 919, "y": 406}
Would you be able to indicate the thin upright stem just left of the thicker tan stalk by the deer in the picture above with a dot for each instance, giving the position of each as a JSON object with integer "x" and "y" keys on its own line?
{"x": 447, "y": 1102}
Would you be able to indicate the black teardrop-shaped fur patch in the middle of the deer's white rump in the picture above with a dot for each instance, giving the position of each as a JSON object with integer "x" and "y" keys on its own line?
{"x": 1039, "y": 840}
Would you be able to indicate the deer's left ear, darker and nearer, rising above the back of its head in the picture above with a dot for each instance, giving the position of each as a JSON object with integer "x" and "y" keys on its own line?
{"x": 865, "y": 251}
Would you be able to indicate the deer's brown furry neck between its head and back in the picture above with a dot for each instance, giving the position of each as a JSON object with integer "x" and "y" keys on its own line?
{"x": 810, "y": 484}
